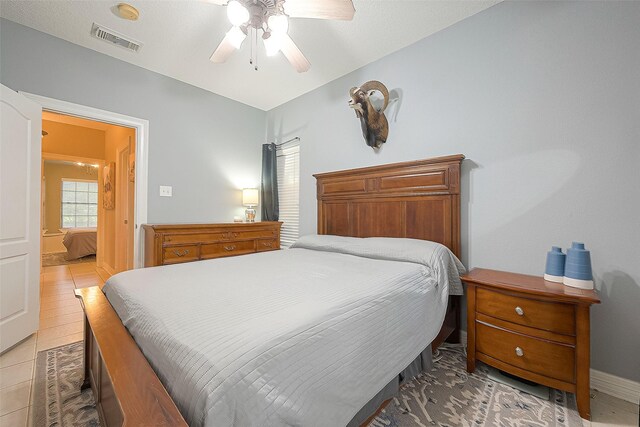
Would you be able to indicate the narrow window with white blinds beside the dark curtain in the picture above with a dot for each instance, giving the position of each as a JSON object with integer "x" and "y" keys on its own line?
{"x": 289, "y": 191}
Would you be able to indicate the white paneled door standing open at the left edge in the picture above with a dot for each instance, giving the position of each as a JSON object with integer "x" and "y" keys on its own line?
{"x": 20, "y": 153}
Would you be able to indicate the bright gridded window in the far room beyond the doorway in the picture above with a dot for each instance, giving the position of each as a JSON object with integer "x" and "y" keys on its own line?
{"x": 79, "y": 203}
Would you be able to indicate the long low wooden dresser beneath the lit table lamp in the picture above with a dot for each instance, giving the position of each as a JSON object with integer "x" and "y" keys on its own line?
{"x": 175, "y": 243}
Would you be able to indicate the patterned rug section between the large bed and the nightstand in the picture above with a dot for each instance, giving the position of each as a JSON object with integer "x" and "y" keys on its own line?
{"x": 449, "y": 396}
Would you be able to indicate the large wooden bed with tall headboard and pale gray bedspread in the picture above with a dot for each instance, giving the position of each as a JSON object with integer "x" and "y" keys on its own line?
{"x": 298, "y": 352}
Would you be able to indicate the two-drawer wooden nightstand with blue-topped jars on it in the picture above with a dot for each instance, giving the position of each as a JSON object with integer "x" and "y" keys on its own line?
{"x": 531, "y": 328}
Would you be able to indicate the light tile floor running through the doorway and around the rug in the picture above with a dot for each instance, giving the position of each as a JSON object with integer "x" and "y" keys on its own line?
{"x": 61, "y": 323}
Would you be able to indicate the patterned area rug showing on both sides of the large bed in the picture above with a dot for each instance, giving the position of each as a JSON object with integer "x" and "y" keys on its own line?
{"x": 445, "y": 396}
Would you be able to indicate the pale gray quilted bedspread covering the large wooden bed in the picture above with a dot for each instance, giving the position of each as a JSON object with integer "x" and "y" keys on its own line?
{"x": 294, "y": 337}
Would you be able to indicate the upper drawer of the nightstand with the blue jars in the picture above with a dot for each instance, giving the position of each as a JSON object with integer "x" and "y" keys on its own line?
{"x": 554, "y": 317}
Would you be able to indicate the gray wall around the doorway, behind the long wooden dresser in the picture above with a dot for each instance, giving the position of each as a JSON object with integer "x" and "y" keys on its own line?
{"x": 202, "y": 144}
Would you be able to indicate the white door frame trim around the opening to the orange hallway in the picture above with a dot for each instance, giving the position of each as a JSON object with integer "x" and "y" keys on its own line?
{"x": 142, "y": 155}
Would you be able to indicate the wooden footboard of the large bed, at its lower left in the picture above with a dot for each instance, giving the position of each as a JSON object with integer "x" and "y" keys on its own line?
{"x": 125, "y": 387}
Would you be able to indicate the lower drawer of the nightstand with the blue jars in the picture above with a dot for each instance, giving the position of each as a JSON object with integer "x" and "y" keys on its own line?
{"x": 539, "y": 356}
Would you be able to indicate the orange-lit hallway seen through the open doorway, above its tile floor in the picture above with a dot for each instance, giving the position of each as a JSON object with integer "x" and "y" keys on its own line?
{"x": 88, "y": 196}
